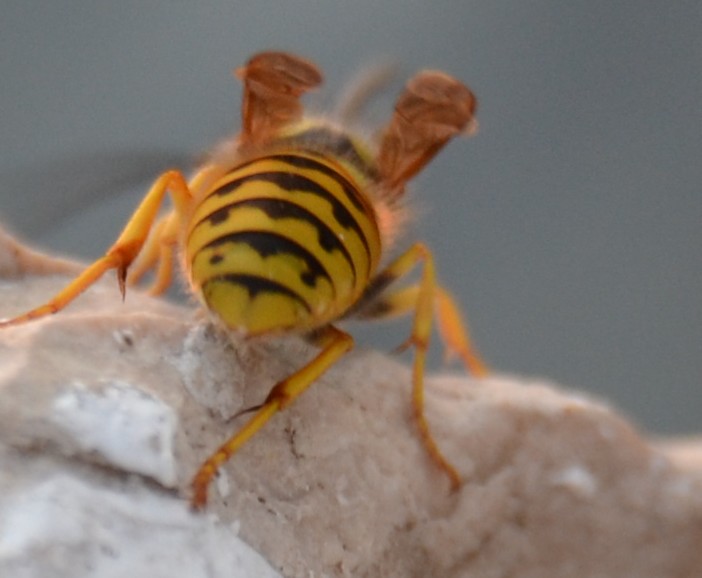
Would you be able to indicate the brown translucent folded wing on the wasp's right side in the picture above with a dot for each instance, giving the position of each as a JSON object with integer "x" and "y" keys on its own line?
{"x": 433, "y": 108}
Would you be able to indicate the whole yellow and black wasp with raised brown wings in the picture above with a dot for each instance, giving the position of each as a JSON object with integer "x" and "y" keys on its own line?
{"x": 285, "y": 230}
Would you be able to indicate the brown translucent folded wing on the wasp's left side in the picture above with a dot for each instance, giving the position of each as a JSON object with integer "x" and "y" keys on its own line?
{"x": 273, "y": 84}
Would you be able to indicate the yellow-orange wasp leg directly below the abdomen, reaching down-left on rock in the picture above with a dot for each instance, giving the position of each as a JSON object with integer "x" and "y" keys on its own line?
{"x": 335, "y": 343}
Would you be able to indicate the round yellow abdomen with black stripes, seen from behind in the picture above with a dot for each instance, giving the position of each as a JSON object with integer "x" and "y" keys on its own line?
{"x": 286, "y": 241}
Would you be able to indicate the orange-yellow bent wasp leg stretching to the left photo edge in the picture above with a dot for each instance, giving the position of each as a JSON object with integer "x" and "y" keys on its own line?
{"x": 128, "y": 245}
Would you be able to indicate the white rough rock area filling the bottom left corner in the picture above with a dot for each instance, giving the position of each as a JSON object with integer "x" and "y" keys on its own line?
{"x": 69, "y": 525}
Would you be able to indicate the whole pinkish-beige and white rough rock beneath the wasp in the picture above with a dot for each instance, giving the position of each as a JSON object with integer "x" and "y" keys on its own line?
{"x": 108, "y": 408}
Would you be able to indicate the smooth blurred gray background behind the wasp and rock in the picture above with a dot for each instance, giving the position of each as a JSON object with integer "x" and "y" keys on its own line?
{"x": 570, "y": 227}
